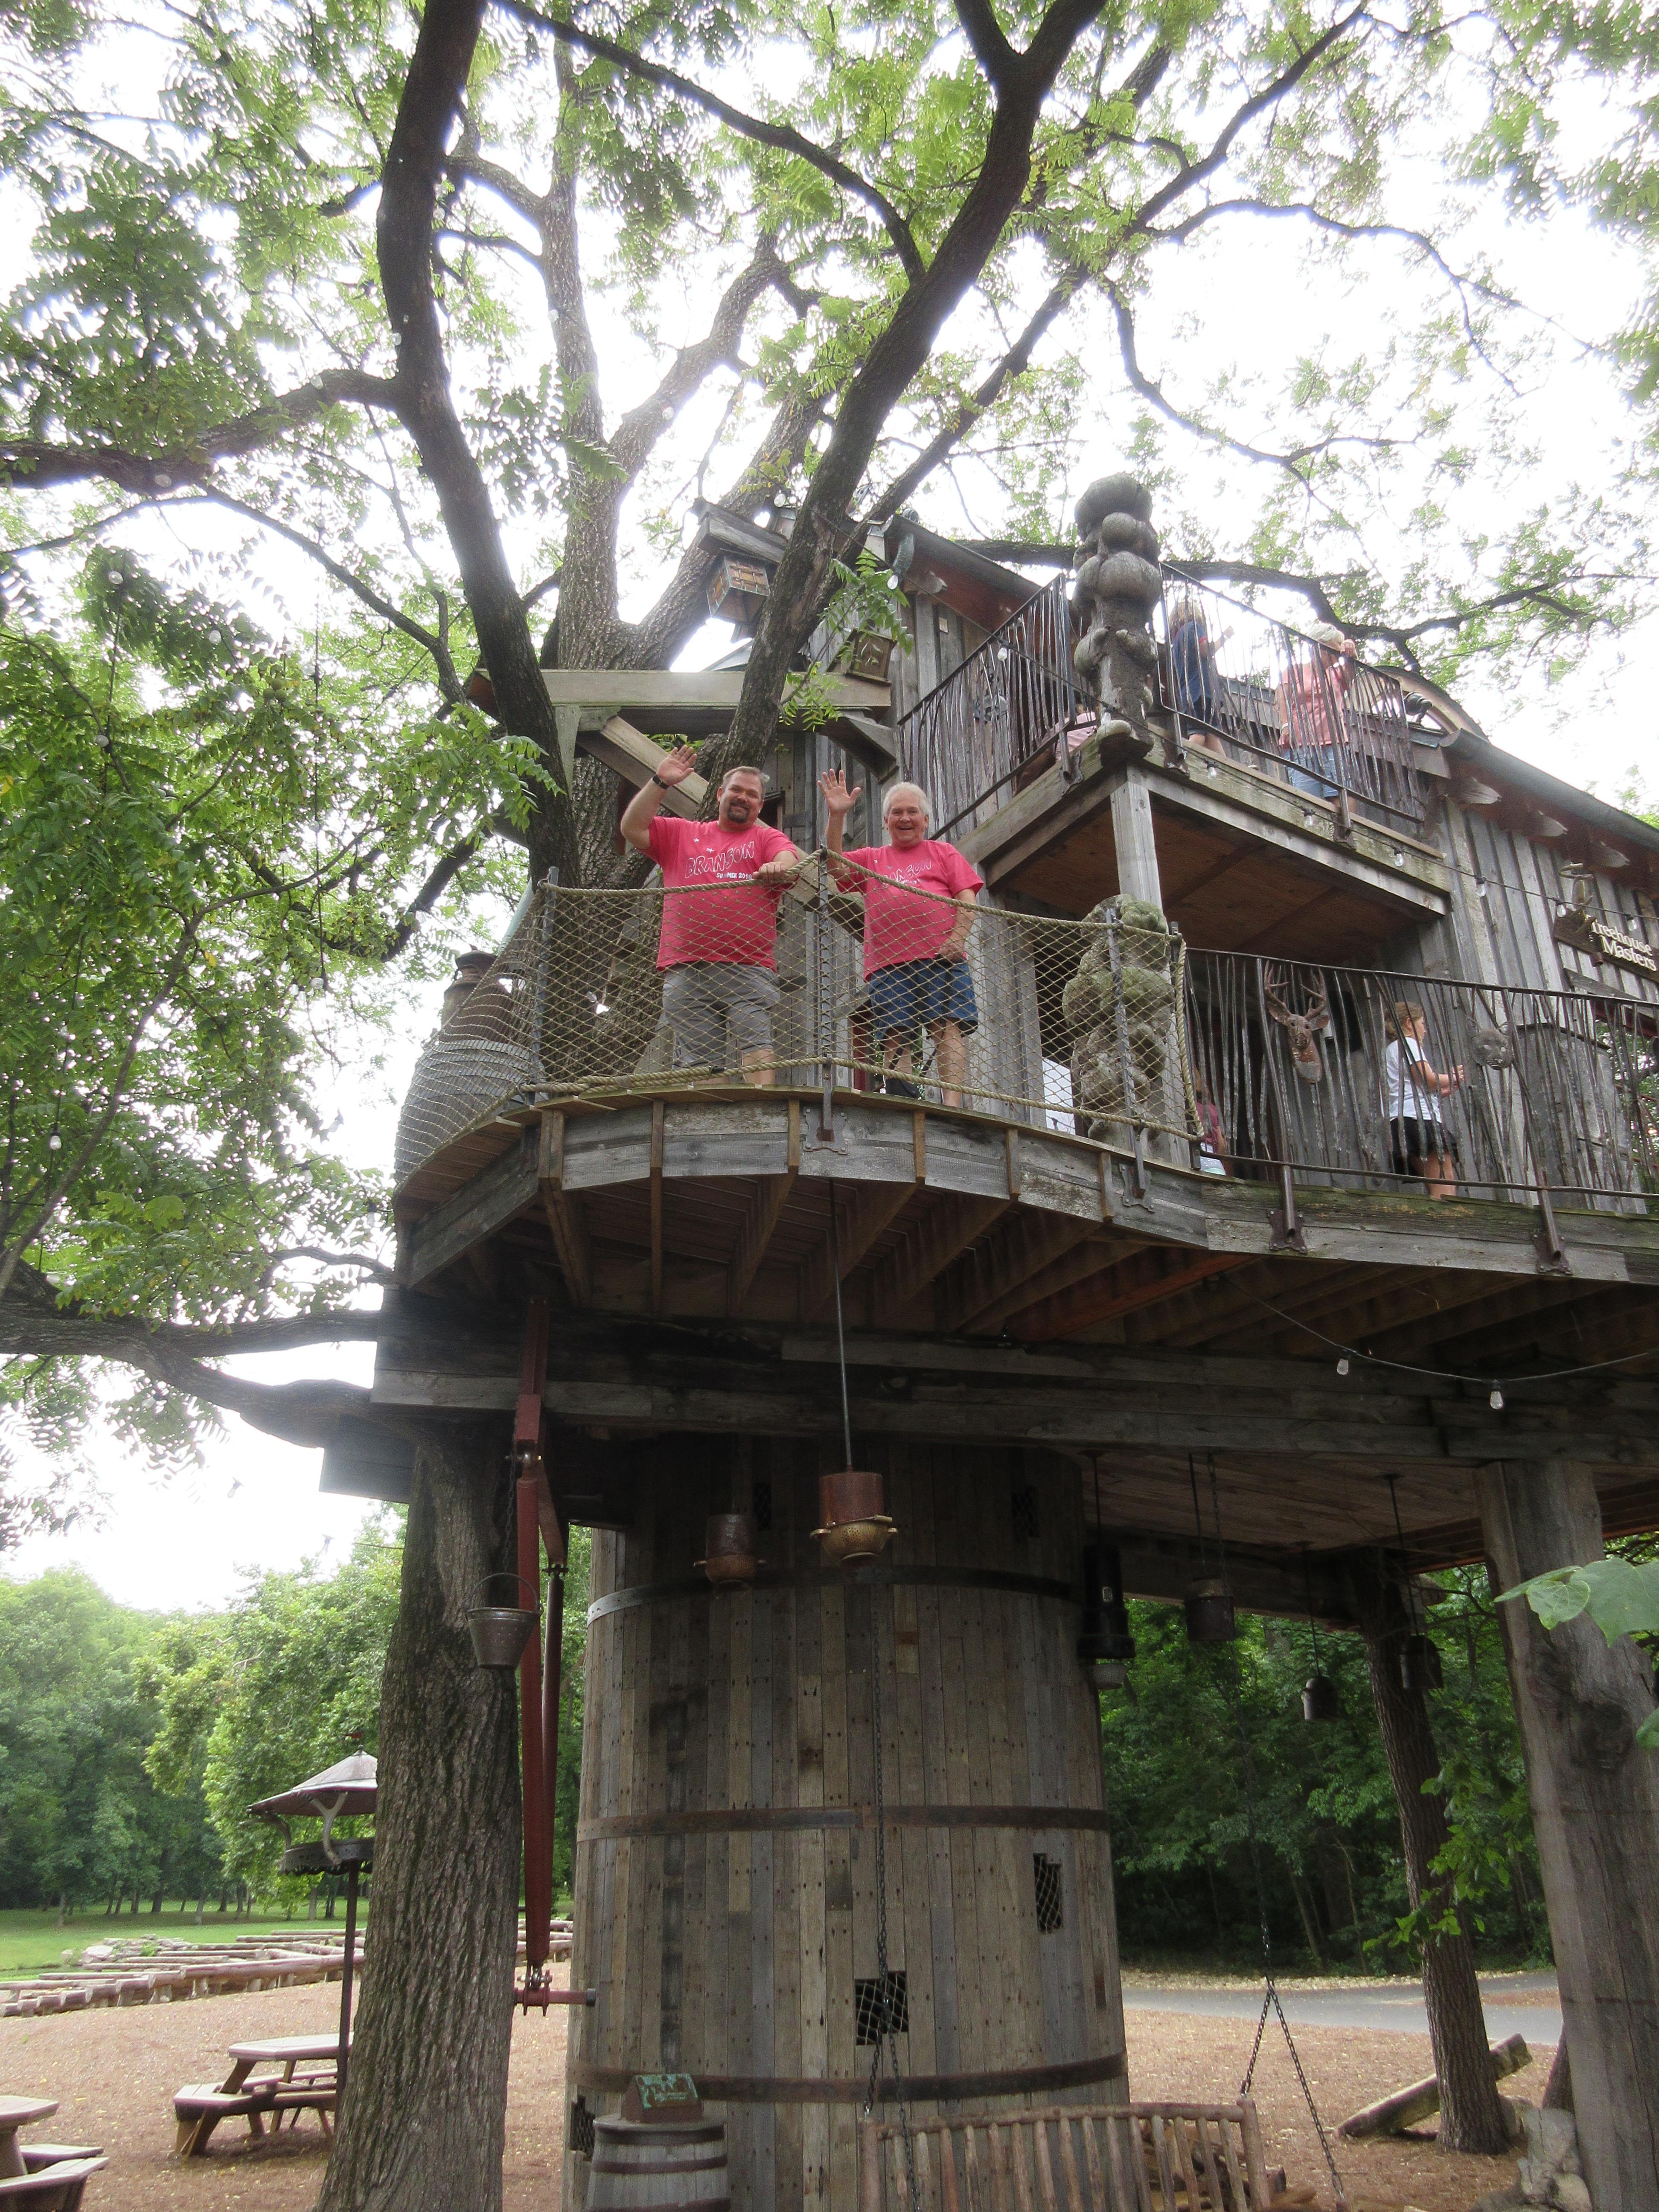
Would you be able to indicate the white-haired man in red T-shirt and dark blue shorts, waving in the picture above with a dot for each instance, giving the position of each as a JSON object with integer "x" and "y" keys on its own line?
{"x": 919, "y": 910}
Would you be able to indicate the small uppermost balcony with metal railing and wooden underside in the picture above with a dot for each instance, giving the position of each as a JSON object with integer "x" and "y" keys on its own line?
{"x": 1286, "y": 786}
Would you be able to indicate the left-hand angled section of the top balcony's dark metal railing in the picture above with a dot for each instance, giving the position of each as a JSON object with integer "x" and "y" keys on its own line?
{"x": 997, "y": 718}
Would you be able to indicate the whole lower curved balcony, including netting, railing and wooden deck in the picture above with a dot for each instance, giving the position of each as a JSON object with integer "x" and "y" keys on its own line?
{"x": 1123, "y": 1120}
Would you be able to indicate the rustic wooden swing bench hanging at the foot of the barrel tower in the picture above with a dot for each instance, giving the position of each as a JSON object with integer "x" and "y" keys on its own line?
{"x": 1072, "y": 2158}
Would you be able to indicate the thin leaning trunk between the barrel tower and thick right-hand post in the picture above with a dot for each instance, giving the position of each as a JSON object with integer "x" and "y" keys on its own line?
{"x": 1470, "y": 2111}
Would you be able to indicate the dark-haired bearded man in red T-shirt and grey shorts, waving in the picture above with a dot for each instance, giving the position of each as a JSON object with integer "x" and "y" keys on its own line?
{"x": 720, "y": 921}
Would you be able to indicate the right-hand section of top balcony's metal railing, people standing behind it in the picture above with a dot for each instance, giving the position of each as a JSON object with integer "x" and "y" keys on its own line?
{"x": 1251, "y": 689}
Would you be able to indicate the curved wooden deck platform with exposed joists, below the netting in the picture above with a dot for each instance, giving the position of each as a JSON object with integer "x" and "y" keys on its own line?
{"x": 718, "y": 1207}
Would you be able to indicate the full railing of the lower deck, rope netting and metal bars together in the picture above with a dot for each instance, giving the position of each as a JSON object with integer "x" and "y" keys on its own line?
{"x": 1105, "y": 1027}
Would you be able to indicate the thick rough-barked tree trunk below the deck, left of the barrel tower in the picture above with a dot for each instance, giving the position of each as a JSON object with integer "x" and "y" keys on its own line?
{"x": 426, "y": 2107}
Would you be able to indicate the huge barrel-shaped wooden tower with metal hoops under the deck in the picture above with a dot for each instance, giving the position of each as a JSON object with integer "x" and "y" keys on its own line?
{"x": 727, "y": 1866}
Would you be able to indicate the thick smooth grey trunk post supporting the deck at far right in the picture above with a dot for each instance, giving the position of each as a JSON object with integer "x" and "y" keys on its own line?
{"x": 1596, "y": 1813}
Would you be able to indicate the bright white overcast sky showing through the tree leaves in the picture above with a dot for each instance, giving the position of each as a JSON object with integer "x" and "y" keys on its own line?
{"x": 255, "y": 1503}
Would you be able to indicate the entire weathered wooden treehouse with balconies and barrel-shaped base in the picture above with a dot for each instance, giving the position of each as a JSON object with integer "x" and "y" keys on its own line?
{"x": 1302, "y": 1145}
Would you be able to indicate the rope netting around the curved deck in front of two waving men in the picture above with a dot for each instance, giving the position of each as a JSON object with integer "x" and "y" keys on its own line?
{"x": 844, "y": 977}
